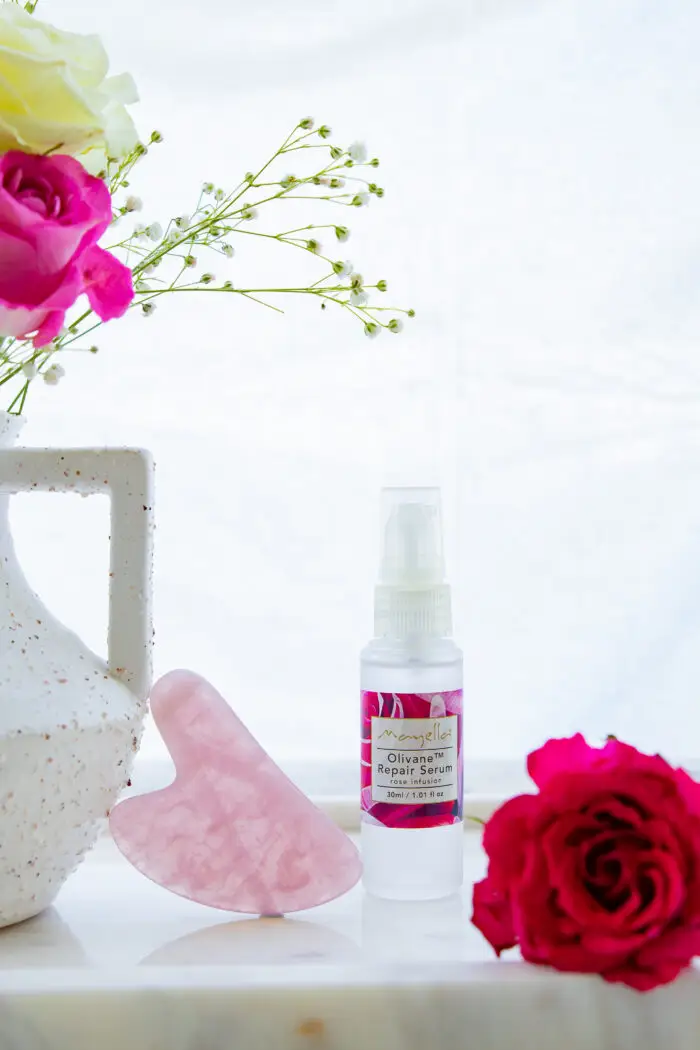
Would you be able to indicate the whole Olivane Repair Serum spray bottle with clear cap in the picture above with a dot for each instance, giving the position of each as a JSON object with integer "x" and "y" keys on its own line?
{"x": 412, "y": 676}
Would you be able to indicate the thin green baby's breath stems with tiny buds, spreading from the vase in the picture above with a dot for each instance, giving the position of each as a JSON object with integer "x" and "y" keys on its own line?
{"x": 210, "y": 228}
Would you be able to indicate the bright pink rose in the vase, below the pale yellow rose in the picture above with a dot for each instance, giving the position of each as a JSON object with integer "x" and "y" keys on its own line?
{"x": 52, "y": 216}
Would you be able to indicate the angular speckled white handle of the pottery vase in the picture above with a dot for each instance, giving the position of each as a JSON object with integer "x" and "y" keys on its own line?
{"x": 128, "y": 476}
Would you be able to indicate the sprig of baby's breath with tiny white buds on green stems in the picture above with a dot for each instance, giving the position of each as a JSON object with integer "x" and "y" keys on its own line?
{"x": 179, "y": 258}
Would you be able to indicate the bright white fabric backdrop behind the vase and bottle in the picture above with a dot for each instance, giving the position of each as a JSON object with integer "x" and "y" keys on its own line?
{"x": 542, "y": 215}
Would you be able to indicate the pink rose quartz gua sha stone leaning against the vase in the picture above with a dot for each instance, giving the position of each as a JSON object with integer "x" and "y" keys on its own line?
{"x": 232, "y": 831}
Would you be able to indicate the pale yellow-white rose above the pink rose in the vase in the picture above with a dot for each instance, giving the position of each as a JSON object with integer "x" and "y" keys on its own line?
{"x": 56, "y": 95}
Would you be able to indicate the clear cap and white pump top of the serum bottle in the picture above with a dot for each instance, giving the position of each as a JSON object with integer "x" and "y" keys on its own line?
{"x": 412, "y": 597}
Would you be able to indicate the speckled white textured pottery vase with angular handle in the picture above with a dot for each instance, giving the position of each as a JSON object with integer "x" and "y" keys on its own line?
{"x": 70, "y": 724}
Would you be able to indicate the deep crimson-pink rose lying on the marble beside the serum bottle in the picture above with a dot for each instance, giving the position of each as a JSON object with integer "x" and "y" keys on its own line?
{"x": 600, "y": 873}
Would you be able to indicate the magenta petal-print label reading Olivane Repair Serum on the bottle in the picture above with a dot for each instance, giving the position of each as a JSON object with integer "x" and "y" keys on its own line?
{"x": 412, "y": 760}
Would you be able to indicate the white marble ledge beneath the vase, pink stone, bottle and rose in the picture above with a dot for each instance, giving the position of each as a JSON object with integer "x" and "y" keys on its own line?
{"x": 119, "y": 963}
